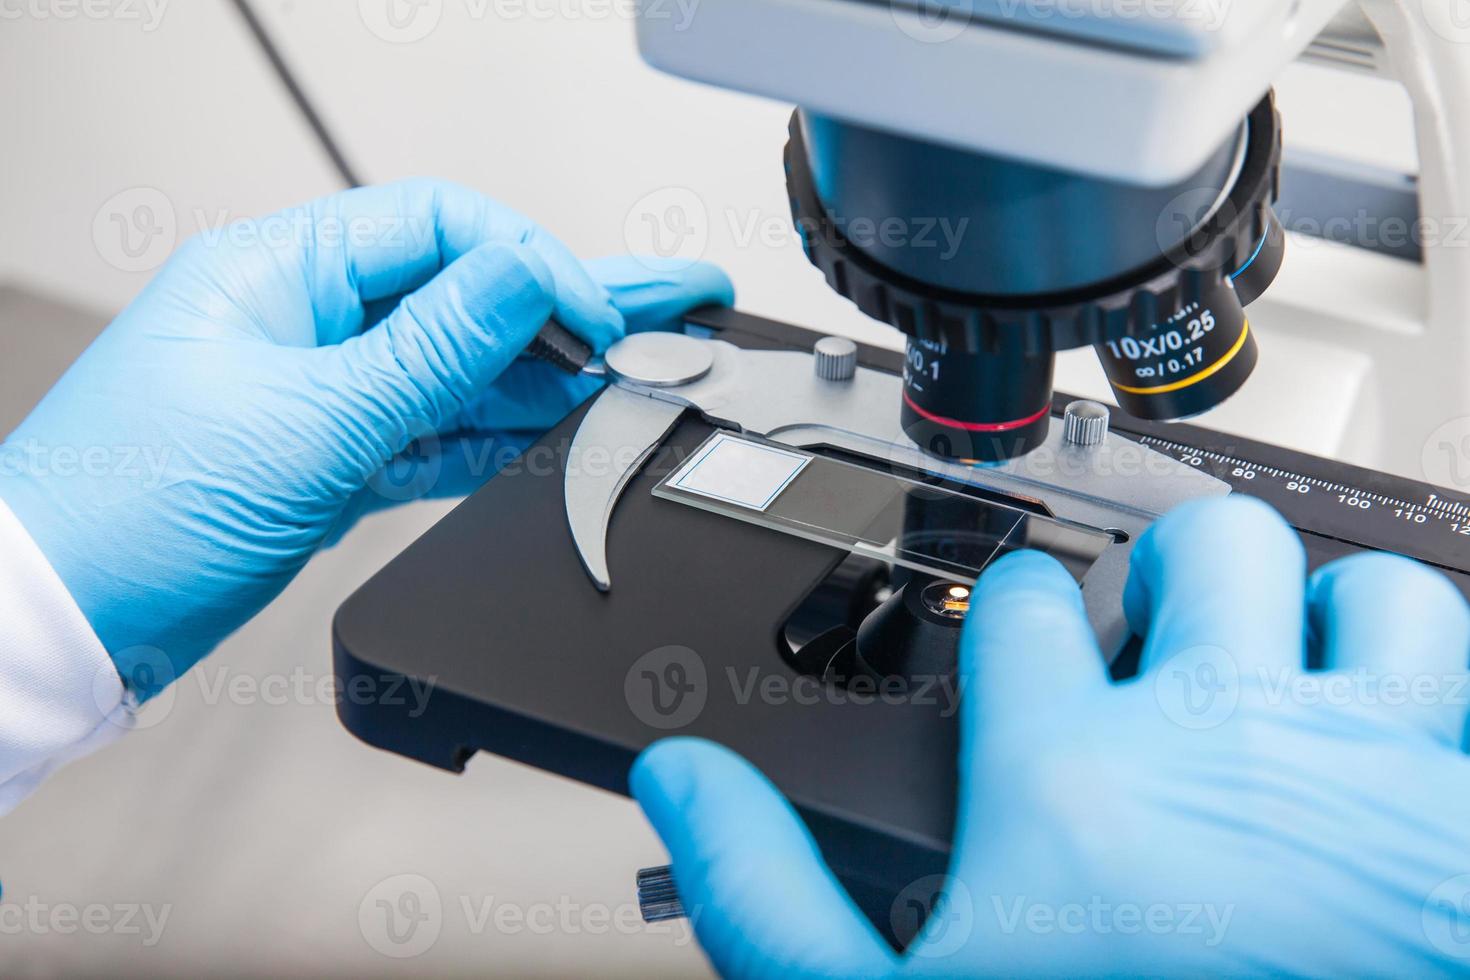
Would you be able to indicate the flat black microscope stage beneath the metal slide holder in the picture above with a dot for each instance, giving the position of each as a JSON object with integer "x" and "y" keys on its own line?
{"x": 526, "y": 657}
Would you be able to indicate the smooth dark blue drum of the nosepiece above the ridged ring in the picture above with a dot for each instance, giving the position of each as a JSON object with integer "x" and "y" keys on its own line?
{"x": 994, "y": 226}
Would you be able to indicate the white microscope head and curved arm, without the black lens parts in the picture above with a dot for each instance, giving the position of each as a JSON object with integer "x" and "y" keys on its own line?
{"x": 1375, "y": 350}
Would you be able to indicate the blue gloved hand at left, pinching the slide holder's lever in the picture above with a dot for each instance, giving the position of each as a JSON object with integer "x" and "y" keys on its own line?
{"x": 211, "y": 440}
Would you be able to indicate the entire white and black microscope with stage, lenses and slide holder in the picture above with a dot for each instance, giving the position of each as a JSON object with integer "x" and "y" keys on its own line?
{"x": 768, "y": 537}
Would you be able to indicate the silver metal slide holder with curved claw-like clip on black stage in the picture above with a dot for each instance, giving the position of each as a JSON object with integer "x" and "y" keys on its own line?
{"x": 1118, "y": 486}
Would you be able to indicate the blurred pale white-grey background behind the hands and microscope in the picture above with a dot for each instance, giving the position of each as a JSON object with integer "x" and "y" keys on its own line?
{"x": 264, "y": 828}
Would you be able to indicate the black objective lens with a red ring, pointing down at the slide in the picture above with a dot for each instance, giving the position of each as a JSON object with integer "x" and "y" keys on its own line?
{"x": 977, "y": 406}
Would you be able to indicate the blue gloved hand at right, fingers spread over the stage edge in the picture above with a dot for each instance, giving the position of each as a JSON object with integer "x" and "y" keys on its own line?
{"x": 1228, "y": 812}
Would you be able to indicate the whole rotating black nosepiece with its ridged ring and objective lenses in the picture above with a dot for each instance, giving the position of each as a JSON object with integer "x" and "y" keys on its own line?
{"x": 1030, "y": 261}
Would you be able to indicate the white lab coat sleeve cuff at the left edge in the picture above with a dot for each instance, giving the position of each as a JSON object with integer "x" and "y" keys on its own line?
{"x": 60, "y": 693}
